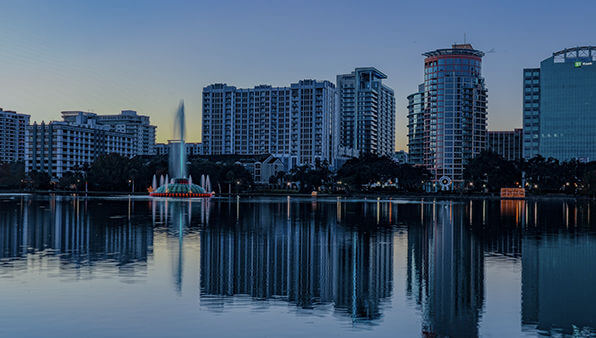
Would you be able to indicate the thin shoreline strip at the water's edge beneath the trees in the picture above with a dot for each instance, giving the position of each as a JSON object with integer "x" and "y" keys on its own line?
{"x": 382, "y": 195}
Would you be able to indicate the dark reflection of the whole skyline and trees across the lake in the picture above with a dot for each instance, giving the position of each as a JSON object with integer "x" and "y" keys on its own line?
{"x": 322, "y": 257}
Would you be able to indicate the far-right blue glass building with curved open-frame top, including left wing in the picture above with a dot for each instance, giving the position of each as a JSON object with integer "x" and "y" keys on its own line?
{"x": 563, "y": 106}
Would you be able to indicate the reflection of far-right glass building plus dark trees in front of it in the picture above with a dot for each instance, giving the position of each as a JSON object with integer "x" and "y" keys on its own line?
{"x": 558, "y": 270}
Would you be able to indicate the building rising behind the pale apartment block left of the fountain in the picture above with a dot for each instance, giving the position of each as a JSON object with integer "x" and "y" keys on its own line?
{"x": 128, "y": 121}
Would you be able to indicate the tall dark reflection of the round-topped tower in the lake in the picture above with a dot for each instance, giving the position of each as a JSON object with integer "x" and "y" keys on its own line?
{"x": 446, "y": 271}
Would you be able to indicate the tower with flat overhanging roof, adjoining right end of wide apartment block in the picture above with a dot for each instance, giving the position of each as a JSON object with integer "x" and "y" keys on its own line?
{"x": 366, "y": 113}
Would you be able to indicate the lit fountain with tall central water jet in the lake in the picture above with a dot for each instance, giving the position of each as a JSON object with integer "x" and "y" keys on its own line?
{"x": 180, "y": 185}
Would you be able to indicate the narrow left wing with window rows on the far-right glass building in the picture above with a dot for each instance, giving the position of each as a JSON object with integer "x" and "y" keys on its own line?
{"x": 531, "y": 112}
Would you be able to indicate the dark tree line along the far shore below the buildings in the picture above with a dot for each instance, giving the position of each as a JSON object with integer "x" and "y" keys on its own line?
{"x": 487, "y": 172}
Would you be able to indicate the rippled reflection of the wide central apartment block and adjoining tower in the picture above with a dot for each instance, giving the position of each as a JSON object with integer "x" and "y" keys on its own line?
{"x": 302, "y": 254}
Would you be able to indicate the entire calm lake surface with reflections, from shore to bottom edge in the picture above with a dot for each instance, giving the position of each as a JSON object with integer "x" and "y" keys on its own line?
{"x": 271, "y": 267}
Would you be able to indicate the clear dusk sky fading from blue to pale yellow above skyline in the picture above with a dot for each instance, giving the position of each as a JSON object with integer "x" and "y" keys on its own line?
{"x": 106, "y": 56}
